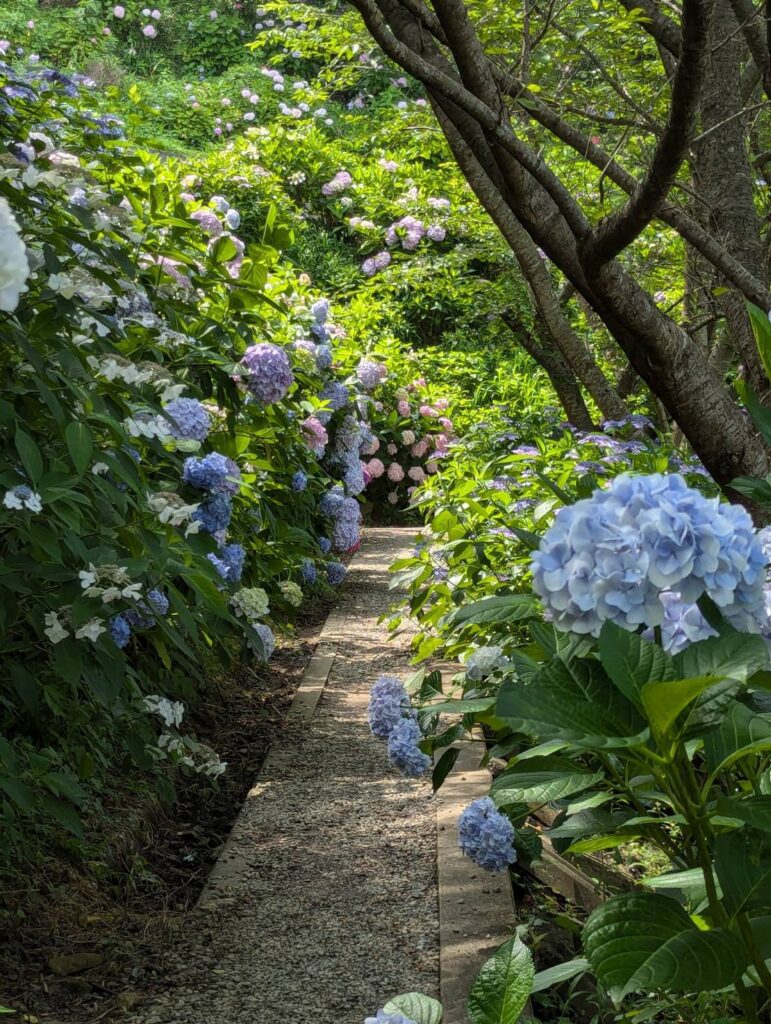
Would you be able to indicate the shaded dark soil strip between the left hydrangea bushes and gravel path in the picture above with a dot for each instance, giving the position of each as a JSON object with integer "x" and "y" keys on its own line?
{"x": 119, "y": 913}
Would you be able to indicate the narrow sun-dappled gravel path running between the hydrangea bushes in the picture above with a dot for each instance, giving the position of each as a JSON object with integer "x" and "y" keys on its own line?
{"x": 327, "y": 904}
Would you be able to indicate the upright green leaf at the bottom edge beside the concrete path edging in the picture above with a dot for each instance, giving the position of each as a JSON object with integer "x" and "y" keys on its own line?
{"x": 503, "y": 987}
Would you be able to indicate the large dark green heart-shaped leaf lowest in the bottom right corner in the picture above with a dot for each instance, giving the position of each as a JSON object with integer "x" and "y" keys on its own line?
{"x": 642, "y": 942}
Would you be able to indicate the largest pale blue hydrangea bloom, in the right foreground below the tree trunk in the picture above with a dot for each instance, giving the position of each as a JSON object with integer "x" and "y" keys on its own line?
{"x": 611, "y": 557}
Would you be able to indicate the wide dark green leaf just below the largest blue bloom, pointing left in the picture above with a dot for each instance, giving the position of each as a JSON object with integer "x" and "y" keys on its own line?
{"x": 573, "y": 701}
